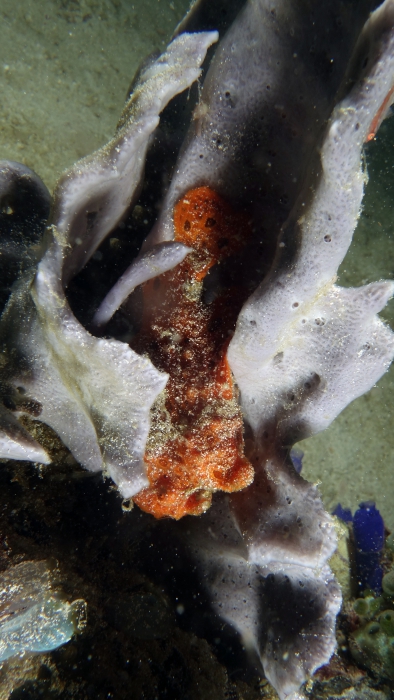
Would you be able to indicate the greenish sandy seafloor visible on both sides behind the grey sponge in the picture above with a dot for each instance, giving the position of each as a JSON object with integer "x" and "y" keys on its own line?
{"x": 65, "y": 68}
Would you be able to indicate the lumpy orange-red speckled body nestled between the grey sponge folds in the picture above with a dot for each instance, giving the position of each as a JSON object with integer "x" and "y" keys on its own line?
{"x": 195, "y": 445}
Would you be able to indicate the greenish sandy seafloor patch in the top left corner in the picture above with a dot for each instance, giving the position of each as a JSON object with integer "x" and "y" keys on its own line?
{"x": 65, "y": 68}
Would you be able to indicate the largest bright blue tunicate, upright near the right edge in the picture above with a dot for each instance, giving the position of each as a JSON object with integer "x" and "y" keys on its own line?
{"x": 368, "y": 529}
